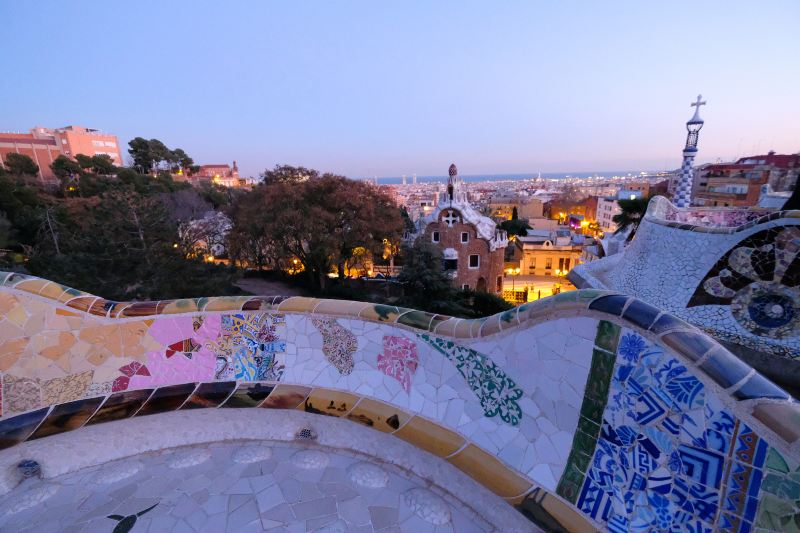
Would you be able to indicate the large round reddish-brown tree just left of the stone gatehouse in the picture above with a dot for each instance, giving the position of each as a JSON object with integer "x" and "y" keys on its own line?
{"x": 320, "y": 220}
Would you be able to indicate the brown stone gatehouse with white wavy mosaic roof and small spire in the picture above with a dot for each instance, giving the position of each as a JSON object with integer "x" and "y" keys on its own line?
{"x": 472, "y": 246}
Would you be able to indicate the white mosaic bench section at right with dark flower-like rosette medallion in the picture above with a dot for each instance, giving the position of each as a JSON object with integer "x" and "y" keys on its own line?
{"x": 739, "y": 281}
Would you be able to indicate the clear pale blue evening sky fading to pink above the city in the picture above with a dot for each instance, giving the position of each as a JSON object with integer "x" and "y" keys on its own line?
{"x": 389, "y": 88}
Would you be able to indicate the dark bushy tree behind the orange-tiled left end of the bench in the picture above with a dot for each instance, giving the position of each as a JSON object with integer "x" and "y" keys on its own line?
{"x": 121, "y": 245}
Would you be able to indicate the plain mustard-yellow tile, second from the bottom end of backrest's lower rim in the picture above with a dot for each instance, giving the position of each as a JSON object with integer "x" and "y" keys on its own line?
{"x": 490, "y": 472}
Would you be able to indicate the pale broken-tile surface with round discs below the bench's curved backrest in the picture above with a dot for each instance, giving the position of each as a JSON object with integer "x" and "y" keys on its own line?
{"x": 239, "y": 486}
